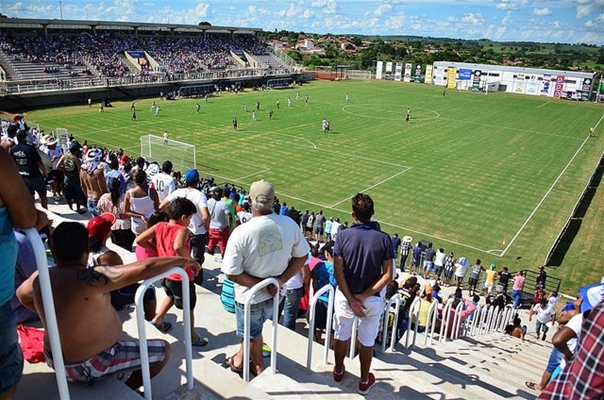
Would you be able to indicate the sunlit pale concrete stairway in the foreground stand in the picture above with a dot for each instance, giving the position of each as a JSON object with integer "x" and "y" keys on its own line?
{"x": 483, "y": 367}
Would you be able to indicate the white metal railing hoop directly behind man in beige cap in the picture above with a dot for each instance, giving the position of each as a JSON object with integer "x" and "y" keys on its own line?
{"x": 246, "y": 327}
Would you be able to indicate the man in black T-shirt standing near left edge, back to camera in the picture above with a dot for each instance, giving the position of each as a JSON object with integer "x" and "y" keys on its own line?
{"x": 31, "y": 168}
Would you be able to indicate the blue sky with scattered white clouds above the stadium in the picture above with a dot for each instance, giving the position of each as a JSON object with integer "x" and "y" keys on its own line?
{"x": 562, "y": 21}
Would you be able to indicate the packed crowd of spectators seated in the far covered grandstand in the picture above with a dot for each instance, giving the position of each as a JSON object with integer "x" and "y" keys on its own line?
{"x": 104, "y": 53}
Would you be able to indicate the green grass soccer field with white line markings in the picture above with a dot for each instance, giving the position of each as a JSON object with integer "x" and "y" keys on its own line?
{"x": 466, "y": 171}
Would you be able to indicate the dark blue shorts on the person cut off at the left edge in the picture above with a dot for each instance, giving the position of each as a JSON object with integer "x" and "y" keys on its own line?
{"x": 11, "y": 357}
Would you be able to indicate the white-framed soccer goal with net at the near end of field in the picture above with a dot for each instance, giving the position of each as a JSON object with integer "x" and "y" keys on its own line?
{"x": 182, "y": 155}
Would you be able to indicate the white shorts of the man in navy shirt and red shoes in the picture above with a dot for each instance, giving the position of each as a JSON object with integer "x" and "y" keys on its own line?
{"x": 368, "y": 325}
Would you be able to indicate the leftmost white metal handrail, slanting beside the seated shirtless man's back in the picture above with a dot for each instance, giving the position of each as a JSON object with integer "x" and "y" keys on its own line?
{"x": 52, "y": 328}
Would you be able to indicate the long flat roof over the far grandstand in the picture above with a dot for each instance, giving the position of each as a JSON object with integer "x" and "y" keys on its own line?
{"x": 23, "y": 23}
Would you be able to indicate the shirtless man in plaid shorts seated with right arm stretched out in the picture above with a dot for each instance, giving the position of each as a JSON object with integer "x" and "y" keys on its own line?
{"x": 90, "y": 327}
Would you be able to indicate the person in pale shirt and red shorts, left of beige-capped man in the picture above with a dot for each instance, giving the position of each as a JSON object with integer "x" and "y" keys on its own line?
{"x": 221, "y": 220}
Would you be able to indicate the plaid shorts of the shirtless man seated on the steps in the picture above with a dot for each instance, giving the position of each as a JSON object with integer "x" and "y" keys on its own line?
{"x": 118, "y": 361}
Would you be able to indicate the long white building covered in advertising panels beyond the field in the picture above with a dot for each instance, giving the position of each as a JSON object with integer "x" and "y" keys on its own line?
{"x": 533, "y": 81}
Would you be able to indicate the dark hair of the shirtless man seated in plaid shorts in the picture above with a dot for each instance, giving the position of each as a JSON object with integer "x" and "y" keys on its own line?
{"x": 69, "y": 242}
